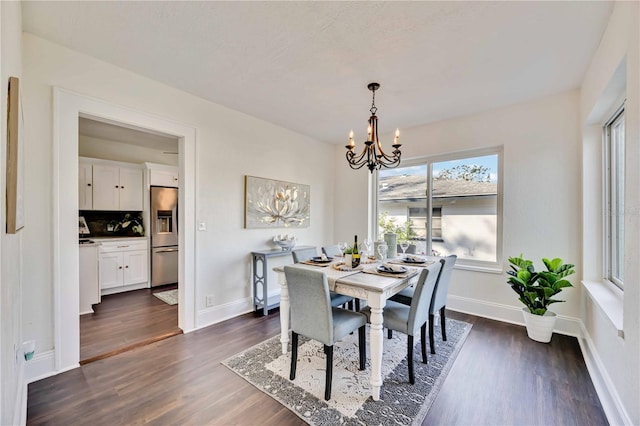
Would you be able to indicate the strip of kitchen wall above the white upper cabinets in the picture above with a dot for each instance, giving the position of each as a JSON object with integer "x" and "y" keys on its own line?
{"x": 106, "y": 149}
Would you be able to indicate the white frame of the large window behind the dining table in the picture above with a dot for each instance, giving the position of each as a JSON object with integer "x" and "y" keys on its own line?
{"x": 475, "y": 265}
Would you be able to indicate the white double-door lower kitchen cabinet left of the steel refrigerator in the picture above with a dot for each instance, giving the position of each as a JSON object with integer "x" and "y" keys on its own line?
{"x": 122, "y": 264}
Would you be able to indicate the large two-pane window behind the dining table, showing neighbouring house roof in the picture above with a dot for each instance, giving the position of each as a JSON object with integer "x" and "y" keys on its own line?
{"x": 445, "y": 205}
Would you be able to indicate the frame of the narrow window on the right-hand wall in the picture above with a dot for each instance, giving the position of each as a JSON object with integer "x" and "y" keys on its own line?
{"x": 609, "y": 168}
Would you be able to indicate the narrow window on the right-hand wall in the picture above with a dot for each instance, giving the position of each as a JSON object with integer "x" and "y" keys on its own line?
{"x": 614, "y": 190}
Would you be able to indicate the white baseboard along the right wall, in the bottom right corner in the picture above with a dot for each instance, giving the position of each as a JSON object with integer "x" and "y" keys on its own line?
{"x": 609, "y": 399}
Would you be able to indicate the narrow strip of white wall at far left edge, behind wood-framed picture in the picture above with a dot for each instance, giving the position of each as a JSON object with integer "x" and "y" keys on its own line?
{"x": 11, "y": 334}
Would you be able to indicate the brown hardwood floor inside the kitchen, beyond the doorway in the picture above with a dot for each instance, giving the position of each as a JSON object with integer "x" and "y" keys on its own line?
{"x": 124, "y": 321}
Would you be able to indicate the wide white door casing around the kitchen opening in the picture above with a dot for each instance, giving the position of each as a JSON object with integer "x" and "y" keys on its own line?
{"x": 68, "y": 108}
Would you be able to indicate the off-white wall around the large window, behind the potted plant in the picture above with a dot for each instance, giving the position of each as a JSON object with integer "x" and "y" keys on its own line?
{"x": 541, "y": 195}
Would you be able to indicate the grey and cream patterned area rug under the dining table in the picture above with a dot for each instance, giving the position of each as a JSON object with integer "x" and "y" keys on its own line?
{"x": 400, "y": 403}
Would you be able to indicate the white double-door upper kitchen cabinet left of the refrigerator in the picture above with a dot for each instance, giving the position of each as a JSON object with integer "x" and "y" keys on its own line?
{"x": 117, "y": 188}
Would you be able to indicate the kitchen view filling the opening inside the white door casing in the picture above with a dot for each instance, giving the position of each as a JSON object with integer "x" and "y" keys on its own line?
{"x": 127, "y": 316}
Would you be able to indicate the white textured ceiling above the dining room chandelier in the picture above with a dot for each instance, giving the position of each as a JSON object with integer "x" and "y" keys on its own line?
{"x": 305, "y": 66}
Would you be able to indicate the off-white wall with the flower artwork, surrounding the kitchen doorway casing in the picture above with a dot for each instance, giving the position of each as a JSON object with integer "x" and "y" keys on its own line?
{"x": 229, "y": 145}
